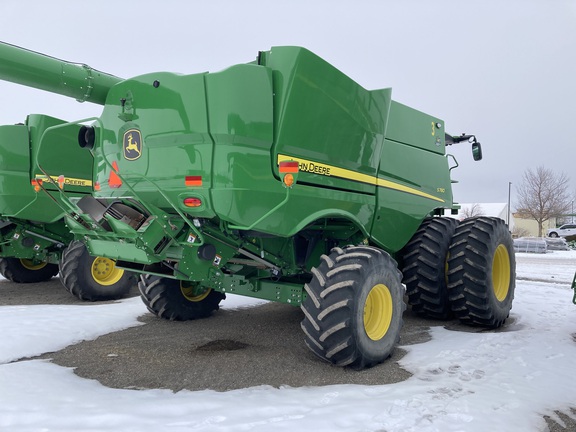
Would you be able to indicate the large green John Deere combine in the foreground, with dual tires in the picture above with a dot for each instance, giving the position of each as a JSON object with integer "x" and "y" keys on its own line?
{"x": 281, "y": 179}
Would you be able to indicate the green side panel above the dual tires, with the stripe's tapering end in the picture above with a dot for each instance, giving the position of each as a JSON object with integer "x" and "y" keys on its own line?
{"x": 414, "y": 176}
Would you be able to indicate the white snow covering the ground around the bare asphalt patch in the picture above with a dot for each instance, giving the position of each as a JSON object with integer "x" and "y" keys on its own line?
{"x": 503, "y": 380}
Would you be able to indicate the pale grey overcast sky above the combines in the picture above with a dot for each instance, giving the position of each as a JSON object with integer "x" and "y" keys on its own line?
{"x": 503, "y": 70}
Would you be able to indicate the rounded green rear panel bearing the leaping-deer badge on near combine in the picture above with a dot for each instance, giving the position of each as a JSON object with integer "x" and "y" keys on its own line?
{"x": 171, "y": 118}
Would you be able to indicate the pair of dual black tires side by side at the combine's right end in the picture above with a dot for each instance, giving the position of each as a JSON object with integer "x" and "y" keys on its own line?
{"x": 464, "y": 270}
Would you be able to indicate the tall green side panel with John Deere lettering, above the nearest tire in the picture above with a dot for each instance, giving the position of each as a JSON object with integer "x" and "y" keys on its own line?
{"x": 328, "y": 123}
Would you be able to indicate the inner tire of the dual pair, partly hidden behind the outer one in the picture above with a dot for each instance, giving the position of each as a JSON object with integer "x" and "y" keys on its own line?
{"x": 425, "y": 268}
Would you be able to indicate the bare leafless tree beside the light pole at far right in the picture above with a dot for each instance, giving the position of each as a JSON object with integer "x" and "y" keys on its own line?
{"x": 543, "y": 195}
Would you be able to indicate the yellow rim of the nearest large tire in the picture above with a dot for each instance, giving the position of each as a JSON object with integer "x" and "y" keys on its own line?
{"x": 378, "y": 312}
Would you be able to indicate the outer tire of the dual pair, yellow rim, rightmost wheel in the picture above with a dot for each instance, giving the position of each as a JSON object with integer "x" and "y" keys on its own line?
{"x": 482, "y": 272}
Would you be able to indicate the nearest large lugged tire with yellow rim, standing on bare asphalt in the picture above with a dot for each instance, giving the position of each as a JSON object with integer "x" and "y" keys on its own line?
{"x": 353, "y": 309}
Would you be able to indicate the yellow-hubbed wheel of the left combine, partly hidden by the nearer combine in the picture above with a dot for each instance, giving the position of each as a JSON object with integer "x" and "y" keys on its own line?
{"x": 93, "y": 278}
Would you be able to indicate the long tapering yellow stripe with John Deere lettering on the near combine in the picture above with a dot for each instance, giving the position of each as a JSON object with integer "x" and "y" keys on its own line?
{"x": 332, "y": 171}
